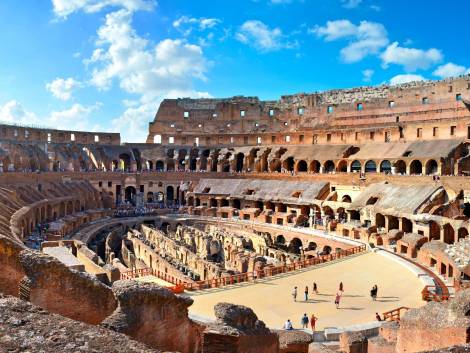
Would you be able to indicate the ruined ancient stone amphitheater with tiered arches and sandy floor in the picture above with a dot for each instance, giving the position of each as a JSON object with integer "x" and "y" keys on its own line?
{"x": 195, "y": 240}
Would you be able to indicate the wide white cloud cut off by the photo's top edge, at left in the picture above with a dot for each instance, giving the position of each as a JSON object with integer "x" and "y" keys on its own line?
{"x": 64, "y": 8}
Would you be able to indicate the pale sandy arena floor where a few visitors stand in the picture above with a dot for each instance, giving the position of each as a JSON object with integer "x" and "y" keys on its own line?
{"x": 273, "y": 303}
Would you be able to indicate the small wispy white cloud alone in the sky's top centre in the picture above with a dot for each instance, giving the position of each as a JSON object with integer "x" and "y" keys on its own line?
{"x": 260, "y": 36}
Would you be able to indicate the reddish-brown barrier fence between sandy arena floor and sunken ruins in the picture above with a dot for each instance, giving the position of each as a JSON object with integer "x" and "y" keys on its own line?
{"x": 180, "y": 285}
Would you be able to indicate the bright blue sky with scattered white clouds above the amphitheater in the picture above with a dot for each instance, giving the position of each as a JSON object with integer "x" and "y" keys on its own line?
{"x": 105, "y": 65}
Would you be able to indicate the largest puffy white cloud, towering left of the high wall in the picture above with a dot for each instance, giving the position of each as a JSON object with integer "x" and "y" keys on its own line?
{"x": 140, "y": 68}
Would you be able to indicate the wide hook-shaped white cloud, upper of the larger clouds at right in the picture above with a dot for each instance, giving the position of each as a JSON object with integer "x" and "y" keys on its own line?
{"x": 364, "y": 39}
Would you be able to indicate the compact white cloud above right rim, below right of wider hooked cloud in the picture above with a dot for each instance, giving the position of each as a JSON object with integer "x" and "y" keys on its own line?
{"x": 411, "y": 59}
